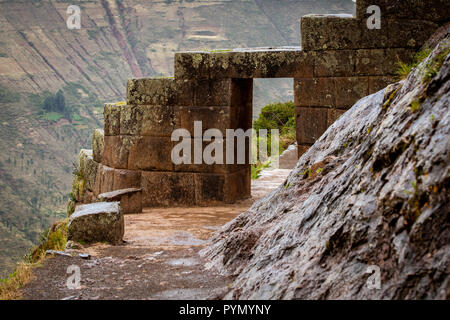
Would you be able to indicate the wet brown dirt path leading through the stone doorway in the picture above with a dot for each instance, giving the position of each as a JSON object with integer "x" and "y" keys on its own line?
{"x": 159, "y": 259}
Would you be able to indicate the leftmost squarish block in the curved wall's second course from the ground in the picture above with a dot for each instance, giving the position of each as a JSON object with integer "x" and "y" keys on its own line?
{"x": 117, "y": 149}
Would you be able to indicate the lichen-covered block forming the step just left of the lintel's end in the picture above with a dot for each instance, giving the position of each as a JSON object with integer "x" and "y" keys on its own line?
{"x": 163, "y": 92}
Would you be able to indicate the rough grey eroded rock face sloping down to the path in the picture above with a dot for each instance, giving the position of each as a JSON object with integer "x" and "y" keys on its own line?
{"x": 371, "y": 193}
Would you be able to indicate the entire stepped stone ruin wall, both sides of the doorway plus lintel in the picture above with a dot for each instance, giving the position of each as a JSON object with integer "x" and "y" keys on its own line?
{"x": 340, "y": 61}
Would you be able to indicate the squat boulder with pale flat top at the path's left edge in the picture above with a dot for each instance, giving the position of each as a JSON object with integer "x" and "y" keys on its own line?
{"x": 97, "y": 222}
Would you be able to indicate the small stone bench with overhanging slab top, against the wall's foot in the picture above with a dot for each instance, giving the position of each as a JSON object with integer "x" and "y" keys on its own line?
{"x": 130, "y": 199}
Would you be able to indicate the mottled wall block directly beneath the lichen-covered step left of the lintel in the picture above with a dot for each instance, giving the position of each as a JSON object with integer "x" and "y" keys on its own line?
{"x": 149, "y": 120}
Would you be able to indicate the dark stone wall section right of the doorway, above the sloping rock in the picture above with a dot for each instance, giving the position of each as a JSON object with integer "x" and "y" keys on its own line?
{"x": 351, "y": 61}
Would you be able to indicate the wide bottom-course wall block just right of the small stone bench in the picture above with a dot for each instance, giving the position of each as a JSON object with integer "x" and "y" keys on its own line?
{"x": 167, "y": 189}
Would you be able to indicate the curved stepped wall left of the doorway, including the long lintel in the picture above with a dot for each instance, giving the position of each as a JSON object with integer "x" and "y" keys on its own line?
{"x": 215, "y": 88}
